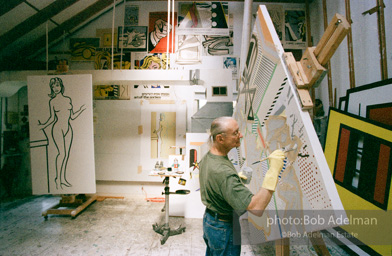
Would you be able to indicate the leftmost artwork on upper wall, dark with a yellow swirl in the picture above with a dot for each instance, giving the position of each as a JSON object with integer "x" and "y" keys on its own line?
{"x": 83, "y": 49}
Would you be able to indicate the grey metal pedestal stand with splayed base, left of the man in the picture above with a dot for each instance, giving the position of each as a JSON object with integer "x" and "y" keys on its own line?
{"x": 165, "y": 229}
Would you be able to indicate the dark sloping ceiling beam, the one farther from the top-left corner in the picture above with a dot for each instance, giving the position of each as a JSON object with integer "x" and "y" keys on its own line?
{"x": 67, "y": 26}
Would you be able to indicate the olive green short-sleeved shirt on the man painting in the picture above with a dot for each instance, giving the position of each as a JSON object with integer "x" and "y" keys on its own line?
{"x": 220, "y": 186}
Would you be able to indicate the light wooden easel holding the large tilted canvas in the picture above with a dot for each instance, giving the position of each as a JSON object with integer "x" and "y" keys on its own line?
{"x": 308, "y": 73}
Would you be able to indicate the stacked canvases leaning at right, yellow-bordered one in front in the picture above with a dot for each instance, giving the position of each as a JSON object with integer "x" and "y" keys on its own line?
{"x": 358, "y": 151}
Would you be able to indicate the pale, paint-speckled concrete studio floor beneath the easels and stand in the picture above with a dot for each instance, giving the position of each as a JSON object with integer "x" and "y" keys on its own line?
{"x": 110, "y": 227}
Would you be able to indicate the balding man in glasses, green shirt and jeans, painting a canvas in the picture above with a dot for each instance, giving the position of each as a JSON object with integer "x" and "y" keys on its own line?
{"x": 222, "y": 191}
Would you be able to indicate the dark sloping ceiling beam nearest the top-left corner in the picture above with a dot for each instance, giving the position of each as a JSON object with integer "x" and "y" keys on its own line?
{"x": 34, "y": 21}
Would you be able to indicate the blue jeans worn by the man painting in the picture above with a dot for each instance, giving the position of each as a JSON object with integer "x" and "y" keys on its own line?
{"x": 218, "y": 236}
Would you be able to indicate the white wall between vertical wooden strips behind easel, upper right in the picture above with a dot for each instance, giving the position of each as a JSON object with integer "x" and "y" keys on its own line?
{"x": 365, "y": 45}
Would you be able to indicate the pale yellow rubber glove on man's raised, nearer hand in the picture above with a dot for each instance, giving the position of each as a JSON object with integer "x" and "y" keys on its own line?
{"x": 276, "y": 164}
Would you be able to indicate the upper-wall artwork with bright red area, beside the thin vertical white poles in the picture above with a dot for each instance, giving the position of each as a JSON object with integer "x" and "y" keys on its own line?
{"x": 158, "y": 31}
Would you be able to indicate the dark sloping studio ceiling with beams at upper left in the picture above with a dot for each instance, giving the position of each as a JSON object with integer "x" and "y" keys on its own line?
{"x": 24, "y": 24}
